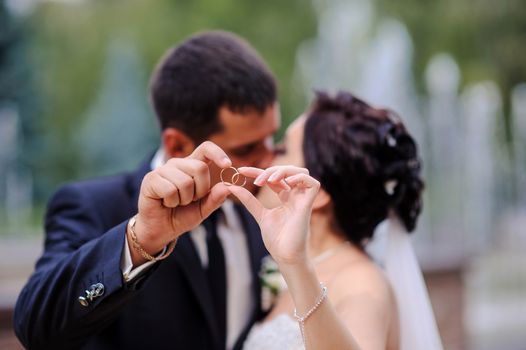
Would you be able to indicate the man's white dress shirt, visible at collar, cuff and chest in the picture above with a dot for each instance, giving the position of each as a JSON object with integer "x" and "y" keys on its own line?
{"x": 237, "y": 263}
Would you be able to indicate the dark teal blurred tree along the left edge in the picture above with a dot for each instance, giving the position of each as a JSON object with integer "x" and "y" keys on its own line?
{"x": 20, "y": 142}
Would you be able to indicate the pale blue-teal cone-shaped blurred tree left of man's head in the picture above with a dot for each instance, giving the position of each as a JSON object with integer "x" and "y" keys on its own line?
{"x": 119, "y": 125}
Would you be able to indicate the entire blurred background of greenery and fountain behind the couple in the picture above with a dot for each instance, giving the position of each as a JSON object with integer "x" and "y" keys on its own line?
{"x": 74, "y": 104}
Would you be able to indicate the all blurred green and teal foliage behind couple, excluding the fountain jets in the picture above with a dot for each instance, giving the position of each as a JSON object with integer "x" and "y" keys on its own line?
{"x": 64, "y": 62}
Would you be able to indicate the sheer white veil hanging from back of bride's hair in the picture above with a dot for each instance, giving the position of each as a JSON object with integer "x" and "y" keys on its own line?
{"x": 392, "y": 248}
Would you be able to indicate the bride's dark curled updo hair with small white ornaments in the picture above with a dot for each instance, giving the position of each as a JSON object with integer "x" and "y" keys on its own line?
{"x": 366, "y": 161}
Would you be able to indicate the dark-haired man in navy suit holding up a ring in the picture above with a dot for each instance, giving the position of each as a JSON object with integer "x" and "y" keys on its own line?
{"x": 107, "y": 282}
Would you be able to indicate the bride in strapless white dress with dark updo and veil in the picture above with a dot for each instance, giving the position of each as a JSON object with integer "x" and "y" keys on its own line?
{"x": 345, "y": 167}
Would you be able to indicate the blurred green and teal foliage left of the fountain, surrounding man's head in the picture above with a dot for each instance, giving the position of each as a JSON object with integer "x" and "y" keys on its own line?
{"x": 93, "y": 59}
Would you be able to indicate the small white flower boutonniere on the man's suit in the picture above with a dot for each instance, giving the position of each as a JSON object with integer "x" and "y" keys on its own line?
{"x": 272, "y": 282}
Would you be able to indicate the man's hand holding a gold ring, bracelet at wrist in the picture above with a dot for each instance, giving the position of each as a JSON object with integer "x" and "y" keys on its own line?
{"x": 177, "y": 197}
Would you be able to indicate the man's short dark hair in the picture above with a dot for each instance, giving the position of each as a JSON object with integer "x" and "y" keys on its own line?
{"x": 206, "y": 72}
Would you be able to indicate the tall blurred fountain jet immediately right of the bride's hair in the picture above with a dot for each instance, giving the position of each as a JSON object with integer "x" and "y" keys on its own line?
{"x": 444, "y": 157}
